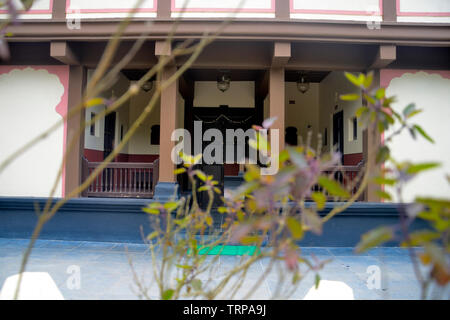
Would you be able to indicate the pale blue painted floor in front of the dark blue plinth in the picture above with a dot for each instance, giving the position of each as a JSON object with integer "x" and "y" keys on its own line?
{"x": 105, "y": 272}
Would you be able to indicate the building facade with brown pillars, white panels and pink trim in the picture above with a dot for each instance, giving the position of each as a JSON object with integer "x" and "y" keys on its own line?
{"x": 268, "y": 50}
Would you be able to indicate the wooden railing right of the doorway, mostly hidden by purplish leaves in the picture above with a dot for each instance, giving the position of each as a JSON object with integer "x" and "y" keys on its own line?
{"x": 349, "y": 176}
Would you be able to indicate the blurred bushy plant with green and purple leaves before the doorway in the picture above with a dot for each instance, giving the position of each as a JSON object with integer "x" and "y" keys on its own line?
{"x": 266, "y": 218}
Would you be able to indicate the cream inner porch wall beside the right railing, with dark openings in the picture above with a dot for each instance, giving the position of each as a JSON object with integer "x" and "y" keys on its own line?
{"x": 334, "y": 85}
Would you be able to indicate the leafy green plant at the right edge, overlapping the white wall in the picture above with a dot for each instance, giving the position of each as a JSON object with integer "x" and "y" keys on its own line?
{"x": 433, "y": 242}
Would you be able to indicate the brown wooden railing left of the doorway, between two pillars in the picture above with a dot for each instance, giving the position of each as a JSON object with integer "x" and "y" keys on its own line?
{"x": 122, "y": 179}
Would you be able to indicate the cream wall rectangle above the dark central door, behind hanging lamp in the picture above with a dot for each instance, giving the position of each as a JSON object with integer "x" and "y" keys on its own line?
{"x": 240, "y": 95}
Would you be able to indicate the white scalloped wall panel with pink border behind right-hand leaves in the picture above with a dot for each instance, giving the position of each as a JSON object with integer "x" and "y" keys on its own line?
{"x": 430, "y": 92}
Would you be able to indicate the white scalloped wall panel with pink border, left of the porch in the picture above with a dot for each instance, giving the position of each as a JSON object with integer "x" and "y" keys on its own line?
{"x": 27, "y": 108}
